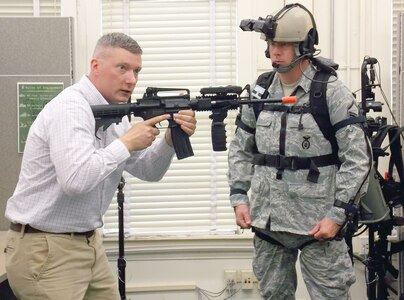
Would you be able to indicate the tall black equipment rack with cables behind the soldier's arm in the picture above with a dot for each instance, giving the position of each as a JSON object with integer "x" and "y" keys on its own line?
{"x": 384, "y": 192}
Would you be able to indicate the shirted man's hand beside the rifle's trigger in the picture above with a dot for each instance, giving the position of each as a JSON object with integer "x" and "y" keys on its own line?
{"x": 142, "y": 134}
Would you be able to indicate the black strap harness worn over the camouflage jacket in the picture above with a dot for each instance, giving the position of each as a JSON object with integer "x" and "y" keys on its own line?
{"x": 319, "y": 110}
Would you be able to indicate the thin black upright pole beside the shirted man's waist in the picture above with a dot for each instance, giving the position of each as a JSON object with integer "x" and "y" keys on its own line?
{"x": 121, "y": 257}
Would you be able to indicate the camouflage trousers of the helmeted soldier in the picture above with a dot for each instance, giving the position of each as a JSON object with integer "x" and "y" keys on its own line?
{"x": 326, "y": 267}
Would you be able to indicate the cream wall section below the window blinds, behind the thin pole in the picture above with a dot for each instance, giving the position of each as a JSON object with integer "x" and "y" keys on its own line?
{"x": 174, "y": 269}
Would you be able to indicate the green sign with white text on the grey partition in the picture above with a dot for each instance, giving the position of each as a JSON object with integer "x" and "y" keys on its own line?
{"x": 32, "y": 97}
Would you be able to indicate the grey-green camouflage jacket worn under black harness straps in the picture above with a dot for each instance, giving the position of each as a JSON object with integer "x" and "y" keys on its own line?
{"x": 294, "y": 204}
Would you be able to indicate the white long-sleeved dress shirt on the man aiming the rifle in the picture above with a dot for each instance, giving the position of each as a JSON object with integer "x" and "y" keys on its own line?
{"x": 69, "y": 174}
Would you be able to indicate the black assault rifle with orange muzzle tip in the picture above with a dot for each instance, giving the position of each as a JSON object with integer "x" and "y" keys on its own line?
{"x": 218, "y": 100}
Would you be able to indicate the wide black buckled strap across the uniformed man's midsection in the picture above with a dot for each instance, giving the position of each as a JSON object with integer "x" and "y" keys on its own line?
{"x": 297, "y": 163}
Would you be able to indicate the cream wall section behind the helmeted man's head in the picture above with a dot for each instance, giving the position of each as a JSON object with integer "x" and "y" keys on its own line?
{"x": 348, "y": 31}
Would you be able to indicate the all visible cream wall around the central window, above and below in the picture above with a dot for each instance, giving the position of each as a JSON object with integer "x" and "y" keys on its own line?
{"x": 348, "y": 30}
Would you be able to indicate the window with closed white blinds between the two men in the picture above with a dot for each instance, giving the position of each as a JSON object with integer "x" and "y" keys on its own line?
{"x": 186, "y": 44}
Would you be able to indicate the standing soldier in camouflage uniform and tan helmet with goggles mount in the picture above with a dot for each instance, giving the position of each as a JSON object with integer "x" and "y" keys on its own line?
{"x": 299, "y": 194}
